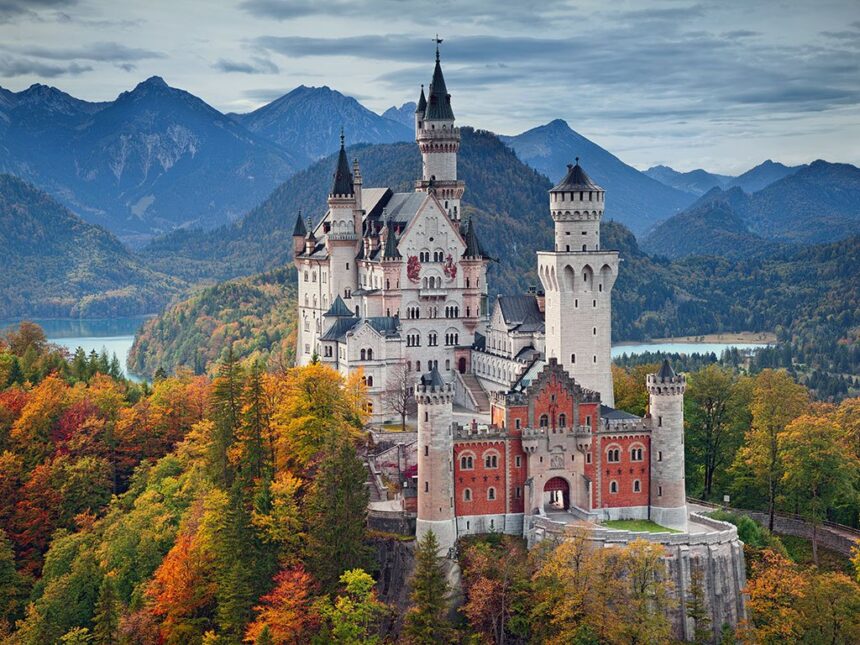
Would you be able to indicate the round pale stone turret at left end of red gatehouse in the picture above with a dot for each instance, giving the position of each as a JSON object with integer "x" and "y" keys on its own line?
{"x": 435, "y": 454}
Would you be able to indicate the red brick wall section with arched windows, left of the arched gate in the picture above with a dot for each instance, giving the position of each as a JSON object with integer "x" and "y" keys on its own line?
{"x": 479, "y": 479}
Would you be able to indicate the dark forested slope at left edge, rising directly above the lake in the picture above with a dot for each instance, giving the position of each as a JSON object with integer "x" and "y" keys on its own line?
{"x": 55, "y": 264}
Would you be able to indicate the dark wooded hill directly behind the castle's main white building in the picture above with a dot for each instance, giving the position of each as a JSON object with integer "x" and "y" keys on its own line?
{"x": 508, "y": 199}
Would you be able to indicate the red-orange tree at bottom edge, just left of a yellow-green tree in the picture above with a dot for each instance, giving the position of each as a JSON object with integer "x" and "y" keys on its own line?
{"x": 287, "y": 614}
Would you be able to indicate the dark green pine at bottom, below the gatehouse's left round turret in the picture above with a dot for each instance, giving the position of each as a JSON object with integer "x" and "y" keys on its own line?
{"x": 427, "y": 621}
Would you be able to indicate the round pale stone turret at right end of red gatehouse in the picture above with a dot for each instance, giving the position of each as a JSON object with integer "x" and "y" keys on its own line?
{"x": 668, "y": 489}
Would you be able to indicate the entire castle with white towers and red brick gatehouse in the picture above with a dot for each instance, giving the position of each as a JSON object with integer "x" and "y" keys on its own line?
{"x": 395, "y": 284}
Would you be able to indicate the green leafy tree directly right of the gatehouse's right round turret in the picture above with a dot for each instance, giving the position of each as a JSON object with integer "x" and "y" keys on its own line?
{"x": 717, "y": 414}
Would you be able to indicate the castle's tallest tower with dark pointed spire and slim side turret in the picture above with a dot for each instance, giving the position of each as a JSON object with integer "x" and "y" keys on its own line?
{"x": 439, "y": 141}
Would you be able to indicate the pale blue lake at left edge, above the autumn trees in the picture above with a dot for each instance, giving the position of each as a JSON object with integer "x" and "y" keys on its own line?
{"x": 114, "y": 335}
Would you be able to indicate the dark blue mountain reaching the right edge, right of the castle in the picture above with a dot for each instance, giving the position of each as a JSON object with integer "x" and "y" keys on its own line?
{"x": 819, "y": 203}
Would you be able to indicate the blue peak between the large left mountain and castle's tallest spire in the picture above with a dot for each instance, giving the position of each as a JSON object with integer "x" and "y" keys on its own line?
{"x": 307, "y": 121}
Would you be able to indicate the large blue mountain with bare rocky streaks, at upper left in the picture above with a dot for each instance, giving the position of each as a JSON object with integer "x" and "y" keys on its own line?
{"x": 155, "y": 159}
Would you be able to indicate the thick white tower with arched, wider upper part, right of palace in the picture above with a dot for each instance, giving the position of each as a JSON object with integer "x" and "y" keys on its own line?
{"x": 578, "y": 277}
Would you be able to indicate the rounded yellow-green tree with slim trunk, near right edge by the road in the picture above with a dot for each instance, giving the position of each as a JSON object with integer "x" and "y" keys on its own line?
{"x": 817, "y": 468}
